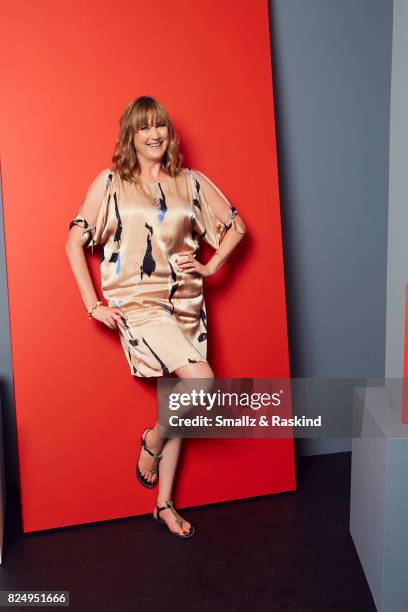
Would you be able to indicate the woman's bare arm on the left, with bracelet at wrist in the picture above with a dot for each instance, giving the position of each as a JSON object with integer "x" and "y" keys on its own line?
{"x": 111, "y": 317}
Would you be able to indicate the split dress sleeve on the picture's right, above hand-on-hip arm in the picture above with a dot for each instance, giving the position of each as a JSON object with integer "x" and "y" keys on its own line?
{"x": 213, "y": 213}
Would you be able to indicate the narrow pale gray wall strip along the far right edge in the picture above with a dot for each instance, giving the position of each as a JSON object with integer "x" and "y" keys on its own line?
{"x": 398, "y": 201}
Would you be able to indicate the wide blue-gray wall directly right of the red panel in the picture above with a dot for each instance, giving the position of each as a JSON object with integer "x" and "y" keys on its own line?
{"x": 332, "y": 67}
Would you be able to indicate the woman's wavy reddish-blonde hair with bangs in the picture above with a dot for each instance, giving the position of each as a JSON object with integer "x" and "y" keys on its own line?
{"x": 135, "y": 115}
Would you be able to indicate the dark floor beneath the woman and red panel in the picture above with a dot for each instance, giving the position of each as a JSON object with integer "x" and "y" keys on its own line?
{"x": 290, "y": 552}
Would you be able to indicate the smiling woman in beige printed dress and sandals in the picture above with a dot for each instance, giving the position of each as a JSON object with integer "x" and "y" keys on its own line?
{"x": 148, "y": 213}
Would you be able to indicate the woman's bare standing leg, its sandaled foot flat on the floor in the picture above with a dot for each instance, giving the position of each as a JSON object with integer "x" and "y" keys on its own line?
{"x": 171, "y": 453}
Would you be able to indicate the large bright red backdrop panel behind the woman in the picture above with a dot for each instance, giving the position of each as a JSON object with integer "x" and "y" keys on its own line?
{"x": 68, "y": 70}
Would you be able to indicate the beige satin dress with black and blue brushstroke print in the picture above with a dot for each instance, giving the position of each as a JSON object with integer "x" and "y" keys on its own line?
{"x": 140, "y": 230}
